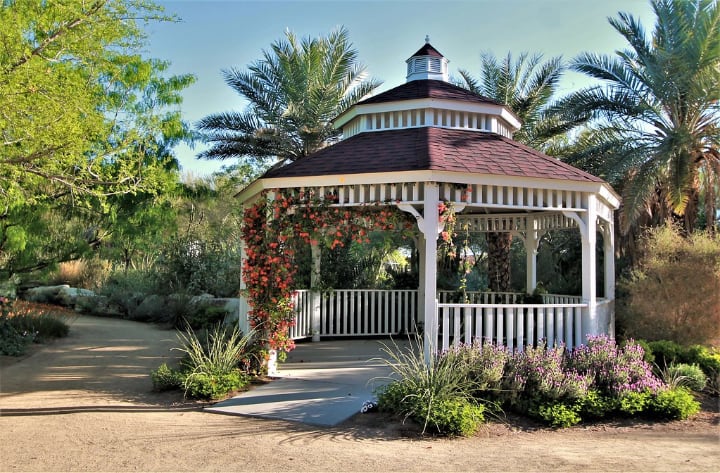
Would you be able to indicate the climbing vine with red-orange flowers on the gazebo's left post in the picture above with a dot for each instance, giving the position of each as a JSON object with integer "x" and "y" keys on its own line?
{"x": 273, "y": 227}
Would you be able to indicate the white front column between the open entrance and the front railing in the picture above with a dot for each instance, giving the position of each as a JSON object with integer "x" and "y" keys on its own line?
{"x": 430, "y": 229}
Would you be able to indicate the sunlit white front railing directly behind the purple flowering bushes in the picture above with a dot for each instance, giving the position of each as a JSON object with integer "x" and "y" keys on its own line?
{"x": 512, "y": 325}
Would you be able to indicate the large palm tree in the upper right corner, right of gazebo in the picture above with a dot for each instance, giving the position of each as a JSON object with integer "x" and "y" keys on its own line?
{"x": 655, "y": 130}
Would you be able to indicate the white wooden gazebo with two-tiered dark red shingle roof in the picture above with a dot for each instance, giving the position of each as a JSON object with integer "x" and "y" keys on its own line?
{"x": 428, "y": 142}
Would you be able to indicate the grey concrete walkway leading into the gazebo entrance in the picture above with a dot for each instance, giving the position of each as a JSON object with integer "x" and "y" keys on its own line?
{"x": 321, "y": 383}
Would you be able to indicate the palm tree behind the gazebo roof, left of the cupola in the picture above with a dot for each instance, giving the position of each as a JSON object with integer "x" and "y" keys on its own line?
{"x": 294, "y": 92}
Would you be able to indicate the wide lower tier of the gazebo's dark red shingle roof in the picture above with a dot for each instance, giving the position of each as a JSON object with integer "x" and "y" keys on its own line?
{"x": 435, "y": 149}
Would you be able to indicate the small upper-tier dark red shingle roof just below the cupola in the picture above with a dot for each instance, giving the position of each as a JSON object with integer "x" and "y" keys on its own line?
{"x": 428, "y": 89}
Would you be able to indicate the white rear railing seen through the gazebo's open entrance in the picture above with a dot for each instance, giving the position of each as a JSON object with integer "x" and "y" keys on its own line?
{"x": 355, "y": 312}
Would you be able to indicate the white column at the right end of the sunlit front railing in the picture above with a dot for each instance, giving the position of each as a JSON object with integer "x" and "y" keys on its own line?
{"x": 590, "y": 325}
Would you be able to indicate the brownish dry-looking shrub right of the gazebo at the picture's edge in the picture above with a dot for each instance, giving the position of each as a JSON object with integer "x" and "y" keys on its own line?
{"x": 672, "y": 294}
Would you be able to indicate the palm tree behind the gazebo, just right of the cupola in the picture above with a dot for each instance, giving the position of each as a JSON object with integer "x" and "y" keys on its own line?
{"x": 527, "y": 87}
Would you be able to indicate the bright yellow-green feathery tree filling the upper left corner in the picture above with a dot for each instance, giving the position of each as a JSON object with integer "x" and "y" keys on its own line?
{"x": 85, "y": 120}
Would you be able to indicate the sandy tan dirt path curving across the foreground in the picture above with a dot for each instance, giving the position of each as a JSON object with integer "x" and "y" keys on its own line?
{"x": 84, "y": 404}
